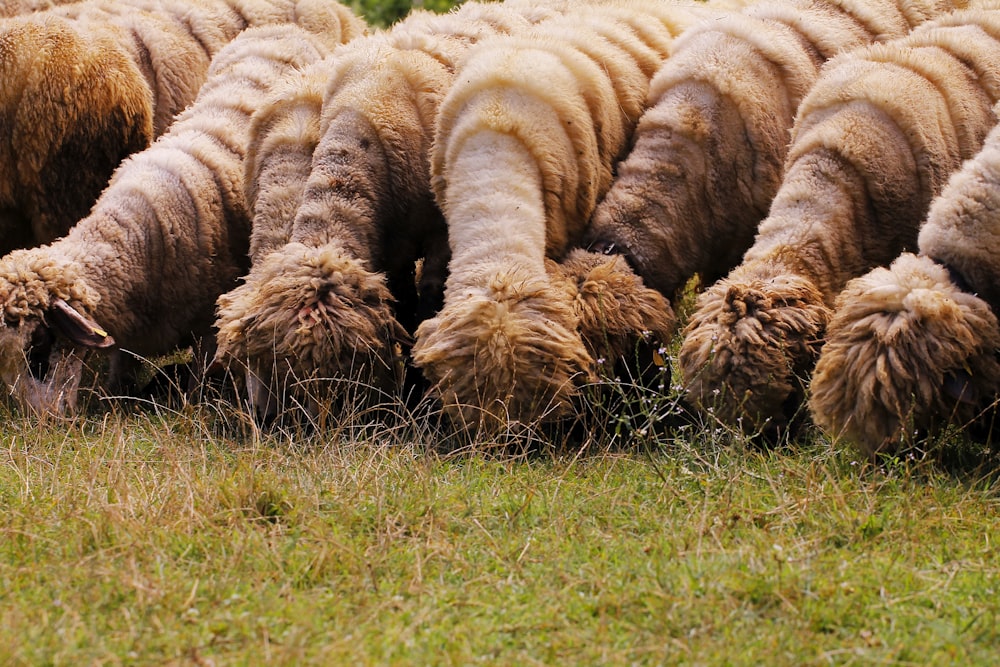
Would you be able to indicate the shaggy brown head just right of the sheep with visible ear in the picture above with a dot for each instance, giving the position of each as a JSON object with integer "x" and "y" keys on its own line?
{"x": 307, "y": 317}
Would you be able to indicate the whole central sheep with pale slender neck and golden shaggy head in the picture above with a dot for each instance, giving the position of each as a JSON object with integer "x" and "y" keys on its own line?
{"x": 525, "y": 145}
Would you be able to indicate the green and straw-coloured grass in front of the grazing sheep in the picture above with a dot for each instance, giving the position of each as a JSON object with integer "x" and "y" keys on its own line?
{"x": 146, "y": 538}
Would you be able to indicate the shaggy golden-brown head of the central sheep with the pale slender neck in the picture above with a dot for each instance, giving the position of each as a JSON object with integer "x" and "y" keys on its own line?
{"x": 519, "y": 332}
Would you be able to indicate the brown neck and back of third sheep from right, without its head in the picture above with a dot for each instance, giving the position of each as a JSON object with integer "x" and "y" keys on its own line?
{"x": 708, "y": 153}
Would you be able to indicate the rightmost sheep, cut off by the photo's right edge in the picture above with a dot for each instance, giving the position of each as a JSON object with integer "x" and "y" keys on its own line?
{"x": 913, "y": 347}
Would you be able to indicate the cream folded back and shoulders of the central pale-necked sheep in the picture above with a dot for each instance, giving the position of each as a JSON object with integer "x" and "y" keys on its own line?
{"x": 571, "y": 90}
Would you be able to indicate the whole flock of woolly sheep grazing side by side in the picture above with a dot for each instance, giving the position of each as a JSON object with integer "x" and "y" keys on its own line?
{"x": 502, "y": 201}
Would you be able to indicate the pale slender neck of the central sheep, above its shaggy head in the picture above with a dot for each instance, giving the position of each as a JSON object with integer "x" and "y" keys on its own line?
{"x": 495, "y": 210}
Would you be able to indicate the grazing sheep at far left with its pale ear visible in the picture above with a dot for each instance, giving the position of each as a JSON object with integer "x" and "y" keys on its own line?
{"x": 164, "y": 240}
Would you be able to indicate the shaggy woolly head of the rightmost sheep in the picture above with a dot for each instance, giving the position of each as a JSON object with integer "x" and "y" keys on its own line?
{"x": 908, "y": 347}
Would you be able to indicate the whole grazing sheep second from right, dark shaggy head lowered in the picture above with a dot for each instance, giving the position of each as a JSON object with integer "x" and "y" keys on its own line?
{"x": 874, "y": 141}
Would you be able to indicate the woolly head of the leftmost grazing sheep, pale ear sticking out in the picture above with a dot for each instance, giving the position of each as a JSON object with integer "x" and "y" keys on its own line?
{"x": 44, "y": 333}
